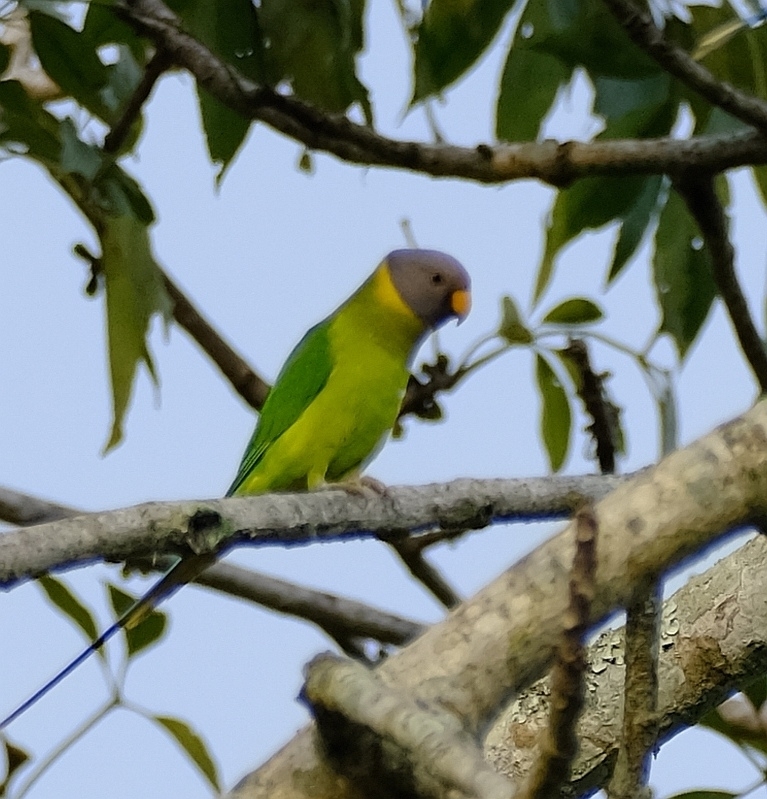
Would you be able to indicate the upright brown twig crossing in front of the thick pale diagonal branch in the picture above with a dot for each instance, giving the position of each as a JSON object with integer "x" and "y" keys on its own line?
{"x": 559, "y": 744}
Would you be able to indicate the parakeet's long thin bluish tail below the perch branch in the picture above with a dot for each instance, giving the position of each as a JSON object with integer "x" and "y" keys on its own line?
{"x": 177, "y": 576}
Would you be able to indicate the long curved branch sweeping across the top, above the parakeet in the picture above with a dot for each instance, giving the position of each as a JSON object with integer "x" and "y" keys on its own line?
{"x": 549, "y": 161}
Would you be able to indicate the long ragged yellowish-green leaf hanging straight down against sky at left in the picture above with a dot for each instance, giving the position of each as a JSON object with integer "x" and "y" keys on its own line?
{"x": 134, "y": 293}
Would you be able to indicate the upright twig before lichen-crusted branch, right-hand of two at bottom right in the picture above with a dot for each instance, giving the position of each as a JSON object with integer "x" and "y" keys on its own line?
{"x": 640, "y": 696}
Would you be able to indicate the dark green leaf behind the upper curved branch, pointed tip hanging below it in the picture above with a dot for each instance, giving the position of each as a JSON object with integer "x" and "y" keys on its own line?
{"x": 231, "y": 29}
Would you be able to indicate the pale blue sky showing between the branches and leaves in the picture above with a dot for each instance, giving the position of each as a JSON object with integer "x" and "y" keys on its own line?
{"x": 265, "y": 257}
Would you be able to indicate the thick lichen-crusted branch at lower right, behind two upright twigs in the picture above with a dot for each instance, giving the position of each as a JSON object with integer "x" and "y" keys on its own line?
{"x": 712, "y": 639}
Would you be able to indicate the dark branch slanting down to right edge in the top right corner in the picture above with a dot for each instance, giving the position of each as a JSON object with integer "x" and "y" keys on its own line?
{"x": 677, "y": 62}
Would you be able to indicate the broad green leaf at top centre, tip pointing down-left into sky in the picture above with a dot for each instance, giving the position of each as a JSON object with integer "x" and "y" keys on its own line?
{"x": 451, "y": 37}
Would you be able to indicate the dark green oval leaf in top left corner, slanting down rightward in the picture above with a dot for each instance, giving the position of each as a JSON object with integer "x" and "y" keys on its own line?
{"x": 71, "y": 61}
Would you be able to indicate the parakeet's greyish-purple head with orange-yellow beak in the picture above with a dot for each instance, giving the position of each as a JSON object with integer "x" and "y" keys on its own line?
{"x": 432, "y": 284}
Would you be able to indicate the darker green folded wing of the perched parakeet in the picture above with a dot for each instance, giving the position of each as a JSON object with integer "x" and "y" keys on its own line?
{"x": 302, "y": 377}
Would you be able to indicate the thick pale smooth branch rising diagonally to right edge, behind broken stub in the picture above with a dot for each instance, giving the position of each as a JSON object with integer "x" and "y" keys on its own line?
{"x": 647, "y": 526}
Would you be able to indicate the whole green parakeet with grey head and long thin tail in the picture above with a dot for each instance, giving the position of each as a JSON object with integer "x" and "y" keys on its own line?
{"x": 334, "y": 402}
